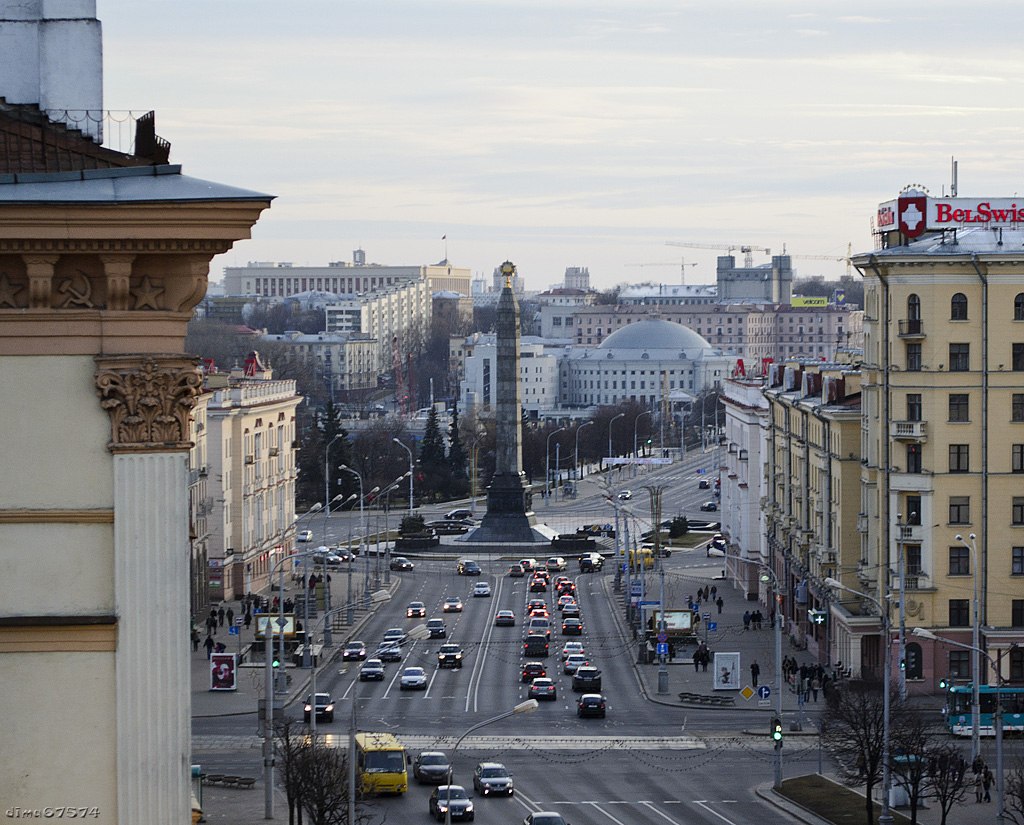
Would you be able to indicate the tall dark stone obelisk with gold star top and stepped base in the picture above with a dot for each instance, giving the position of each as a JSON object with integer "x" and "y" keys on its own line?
{"x": 510, "y": 513}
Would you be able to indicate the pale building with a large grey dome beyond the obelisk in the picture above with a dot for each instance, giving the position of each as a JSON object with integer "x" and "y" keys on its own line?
{"x": 641, "y": 363}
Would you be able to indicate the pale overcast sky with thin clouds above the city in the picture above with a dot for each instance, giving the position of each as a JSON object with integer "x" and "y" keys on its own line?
{"x": 559, "y": 134}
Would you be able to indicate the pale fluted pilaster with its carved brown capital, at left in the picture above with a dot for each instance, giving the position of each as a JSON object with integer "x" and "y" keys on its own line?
{"x": 149, "y": 400}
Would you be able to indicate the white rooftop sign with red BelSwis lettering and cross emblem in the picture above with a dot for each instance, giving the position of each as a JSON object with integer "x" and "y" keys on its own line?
{"x": 918, "y": 214}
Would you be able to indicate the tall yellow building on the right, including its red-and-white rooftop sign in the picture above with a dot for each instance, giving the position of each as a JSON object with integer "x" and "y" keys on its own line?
{"x": 943, "y": 503}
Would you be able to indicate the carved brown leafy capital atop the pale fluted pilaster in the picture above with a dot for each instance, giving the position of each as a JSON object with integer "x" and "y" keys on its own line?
{"x": 149, "y": 400}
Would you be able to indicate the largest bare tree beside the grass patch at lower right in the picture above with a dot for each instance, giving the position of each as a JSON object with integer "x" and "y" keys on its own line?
{"x": 852, "y": 727}
